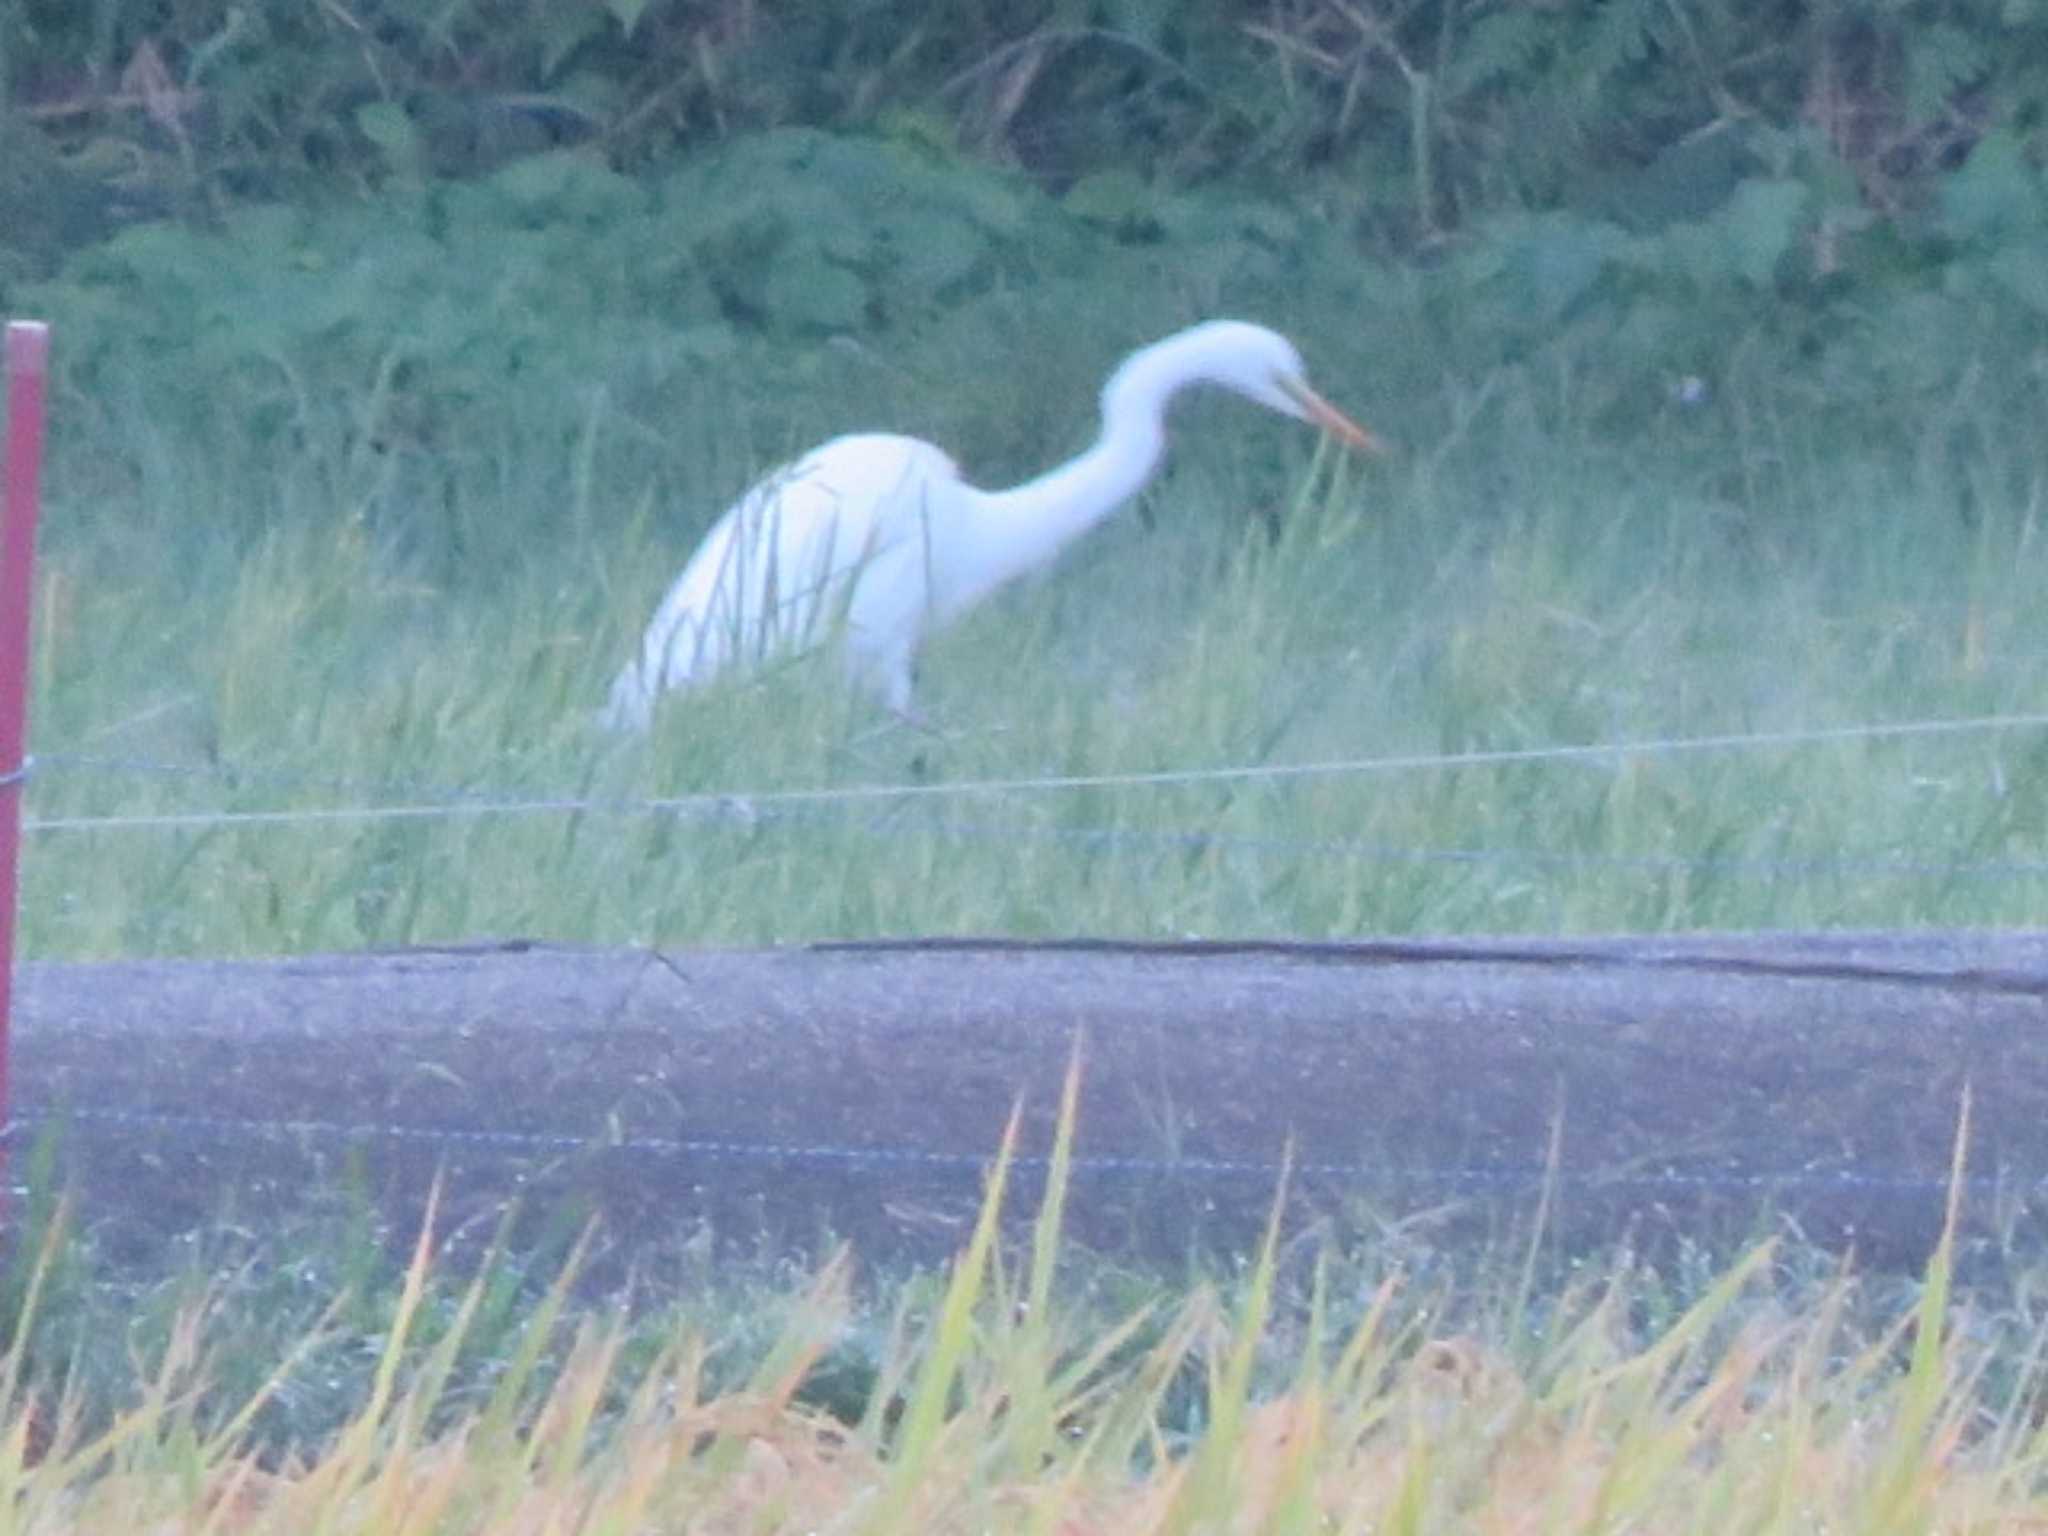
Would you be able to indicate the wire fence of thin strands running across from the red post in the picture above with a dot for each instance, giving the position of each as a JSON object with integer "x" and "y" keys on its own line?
{"x": 884, "y": 806}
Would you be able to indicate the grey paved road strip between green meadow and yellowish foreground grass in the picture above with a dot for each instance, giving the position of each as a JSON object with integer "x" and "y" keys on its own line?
{"x": 785, "y": 1097}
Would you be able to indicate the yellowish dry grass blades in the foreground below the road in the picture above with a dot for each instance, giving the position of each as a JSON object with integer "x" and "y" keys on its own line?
{"x": 1736, "y": 1418}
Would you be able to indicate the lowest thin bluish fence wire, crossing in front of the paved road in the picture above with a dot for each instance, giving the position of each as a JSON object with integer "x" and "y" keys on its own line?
{"x": 228, "y": 1129}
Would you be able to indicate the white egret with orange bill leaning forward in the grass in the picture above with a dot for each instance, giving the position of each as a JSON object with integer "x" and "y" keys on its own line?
{"x": 876, "y": 540}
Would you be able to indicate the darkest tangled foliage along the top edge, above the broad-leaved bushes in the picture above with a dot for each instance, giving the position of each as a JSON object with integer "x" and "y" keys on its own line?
{"x": 1418, "y": 114}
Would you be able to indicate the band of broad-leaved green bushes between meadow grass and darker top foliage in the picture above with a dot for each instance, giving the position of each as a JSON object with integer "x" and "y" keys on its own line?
{"x": 378, "y": 333}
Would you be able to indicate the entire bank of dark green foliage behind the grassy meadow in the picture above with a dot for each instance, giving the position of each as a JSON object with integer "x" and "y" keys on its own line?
{"x": 355, "y": 220}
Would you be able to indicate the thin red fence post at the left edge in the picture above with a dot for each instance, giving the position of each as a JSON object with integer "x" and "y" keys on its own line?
{"x": 28, "y": 357}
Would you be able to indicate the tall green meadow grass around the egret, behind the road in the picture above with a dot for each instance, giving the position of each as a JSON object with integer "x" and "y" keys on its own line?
{"x": 1517, "y": 577}
